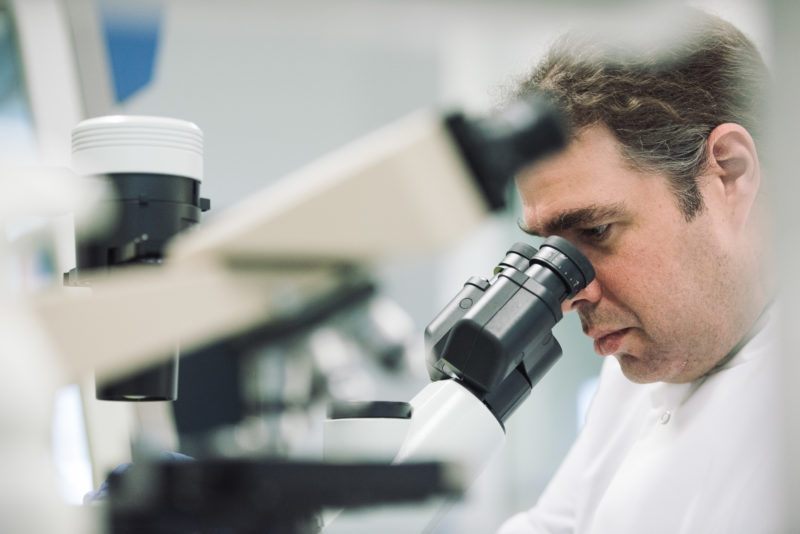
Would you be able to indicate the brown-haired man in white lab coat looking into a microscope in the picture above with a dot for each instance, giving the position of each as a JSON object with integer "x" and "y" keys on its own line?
{"x": 659, "y": 187}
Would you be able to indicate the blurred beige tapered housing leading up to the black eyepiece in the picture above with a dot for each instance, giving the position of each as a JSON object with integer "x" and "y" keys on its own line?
{"x": 404, "y": 189}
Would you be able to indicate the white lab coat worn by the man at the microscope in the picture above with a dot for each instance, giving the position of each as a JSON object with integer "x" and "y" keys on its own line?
{"x": 675, "y": 458}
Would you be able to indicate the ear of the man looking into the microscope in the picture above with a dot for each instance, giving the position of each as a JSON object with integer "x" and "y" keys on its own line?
{"x": 733, "y": 170}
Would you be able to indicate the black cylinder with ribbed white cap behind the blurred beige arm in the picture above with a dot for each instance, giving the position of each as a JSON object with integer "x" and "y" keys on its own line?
{"x": 152, "y": 168}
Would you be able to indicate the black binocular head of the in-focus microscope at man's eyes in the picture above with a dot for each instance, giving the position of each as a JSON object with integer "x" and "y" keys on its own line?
{"x": 495, "y": 336}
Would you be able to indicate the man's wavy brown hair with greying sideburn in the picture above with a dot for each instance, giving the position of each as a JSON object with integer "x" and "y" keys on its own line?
{"x": 660, "y": 102}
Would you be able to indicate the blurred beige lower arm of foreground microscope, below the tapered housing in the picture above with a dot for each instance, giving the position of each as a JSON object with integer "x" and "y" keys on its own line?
{"x": 135, "y": 317}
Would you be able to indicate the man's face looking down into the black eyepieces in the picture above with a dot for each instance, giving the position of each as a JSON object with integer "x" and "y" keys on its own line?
{"x": 663, "y": 301}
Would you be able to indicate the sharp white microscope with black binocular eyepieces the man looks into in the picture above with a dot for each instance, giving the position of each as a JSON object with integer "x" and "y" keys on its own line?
{"x": 485, "y": 351}
